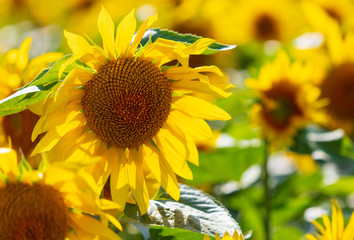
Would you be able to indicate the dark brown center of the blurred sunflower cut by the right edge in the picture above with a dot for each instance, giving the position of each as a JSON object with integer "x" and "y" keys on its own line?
{"x": 338, "y": 87}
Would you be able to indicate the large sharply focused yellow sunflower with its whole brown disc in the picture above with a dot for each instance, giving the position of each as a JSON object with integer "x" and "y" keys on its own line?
{"x": 131, "y": 113}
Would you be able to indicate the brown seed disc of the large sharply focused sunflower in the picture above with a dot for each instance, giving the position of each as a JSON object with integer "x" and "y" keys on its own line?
{"x": 127, "y": 101}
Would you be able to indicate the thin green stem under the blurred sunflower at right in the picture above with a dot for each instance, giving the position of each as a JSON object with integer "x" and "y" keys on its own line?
{"x": 267, "y": 192}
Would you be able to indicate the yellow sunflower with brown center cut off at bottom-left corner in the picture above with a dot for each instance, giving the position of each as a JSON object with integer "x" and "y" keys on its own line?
{"x": 51, "y": 203}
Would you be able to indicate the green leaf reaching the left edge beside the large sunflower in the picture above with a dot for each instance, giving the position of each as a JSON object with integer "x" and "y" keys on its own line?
{"x": 36, "y": 90}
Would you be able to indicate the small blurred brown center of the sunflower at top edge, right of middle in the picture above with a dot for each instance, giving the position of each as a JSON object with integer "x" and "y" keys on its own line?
{"x": 266, "y": 28}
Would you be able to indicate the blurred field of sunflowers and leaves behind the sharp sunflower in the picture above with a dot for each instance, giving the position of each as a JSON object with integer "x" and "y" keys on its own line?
{"x": 293, "y": 101}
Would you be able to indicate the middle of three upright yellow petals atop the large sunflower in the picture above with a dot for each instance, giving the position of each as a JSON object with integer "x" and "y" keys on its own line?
{"x": 125, "y": 33}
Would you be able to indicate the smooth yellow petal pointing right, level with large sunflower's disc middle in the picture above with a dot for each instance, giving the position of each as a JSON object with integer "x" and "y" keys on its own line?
{"x": 199, "y": 108}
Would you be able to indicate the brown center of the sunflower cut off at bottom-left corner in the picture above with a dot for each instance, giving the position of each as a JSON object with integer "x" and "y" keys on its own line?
{"x": 32, "y": 212}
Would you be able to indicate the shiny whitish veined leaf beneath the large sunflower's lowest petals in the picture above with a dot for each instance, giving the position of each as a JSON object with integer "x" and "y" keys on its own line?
{"x": 194, "y": 211}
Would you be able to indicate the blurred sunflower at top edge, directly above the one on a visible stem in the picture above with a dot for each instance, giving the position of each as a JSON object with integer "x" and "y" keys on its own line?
{"x": 263, "y": 20}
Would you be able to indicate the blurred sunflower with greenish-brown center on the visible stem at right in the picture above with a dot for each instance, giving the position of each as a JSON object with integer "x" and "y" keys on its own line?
{"x": 287, "y": 99}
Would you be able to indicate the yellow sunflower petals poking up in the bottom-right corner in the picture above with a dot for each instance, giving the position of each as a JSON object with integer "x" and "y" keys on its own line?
{"x": 336, "y": 229}
